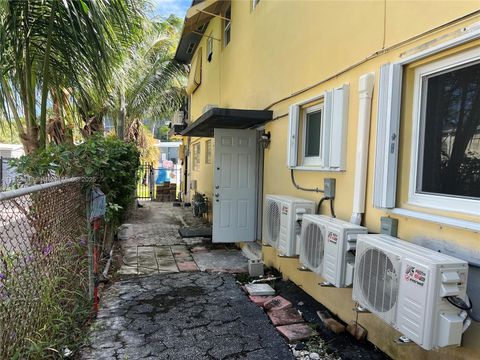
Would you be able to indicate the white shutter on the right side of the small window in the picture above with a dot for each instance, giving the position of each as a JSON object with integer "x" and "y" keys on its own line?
{"x": 338, "y": 128}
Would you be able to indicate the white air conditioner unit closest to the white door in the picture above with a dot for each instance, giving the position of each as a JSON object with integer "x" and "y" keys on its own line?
{"x": 282, "y": 217}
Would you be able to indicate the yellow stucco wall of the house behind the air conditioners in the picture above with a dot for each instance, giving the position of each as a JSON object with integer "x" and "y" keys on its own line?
{"x": 282, "y": 47}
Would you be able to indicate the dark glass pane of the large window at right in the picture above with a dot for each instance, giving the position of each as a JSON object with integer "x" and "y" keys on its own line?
{"x": 451, "y": 144}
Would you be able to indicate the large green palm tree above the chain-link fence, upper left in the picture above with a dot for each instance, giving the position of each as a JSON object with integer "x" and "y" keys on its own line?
{"x": 50, "y": 45}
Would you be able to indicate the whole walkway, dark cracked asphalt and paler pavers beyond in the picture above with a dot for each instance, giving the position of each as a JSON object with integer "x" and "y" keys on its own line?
{"x": 164, "y": 307}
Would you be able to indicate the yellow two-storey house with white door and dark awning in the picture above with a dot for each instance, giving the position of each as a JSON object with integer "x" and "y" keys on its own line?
{"x": 382, "y": 96}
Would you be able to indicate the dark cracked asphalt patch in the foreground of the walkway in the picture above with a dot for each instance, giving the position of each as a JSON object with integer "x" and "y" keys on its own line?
{"x": 182, "y": 316}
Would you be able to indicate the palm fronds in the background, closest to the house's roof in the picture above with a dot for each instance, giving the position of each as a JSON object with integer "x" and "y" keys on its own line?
{"x": 150, "y": 82}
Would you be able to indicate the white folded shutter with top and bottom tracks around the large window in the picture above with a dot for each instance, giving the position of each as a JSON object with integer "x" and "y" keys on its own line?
{"x": 388, "y": 115}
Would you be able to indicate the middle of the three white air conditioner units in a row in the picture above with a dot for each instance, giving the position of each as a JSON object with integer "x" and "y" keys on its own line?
{"x": 326, "y": 248}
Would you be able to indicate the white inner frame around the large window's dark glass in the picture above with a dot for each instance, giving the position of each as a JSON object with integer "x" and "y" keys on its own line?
{"x": 435, "y": 201}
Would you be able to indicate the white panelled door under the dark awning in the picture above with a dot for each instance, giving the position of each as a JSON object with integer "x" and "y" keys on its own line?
{"x": 234, "y": 182}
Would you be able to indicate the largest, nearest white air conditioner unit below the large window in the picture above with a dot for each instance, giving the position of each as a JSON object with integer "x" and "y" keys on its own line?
{"x": 407, "y": 286}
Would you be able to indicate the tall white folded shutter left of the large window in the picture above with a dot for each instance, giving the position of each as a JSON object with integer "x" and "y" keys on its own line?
{"x": 388, "y": 125}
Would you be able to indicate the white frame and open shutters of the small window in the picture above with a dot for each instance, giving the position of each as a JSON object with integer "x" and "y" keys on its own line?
{"x": 333, "y": 142}
